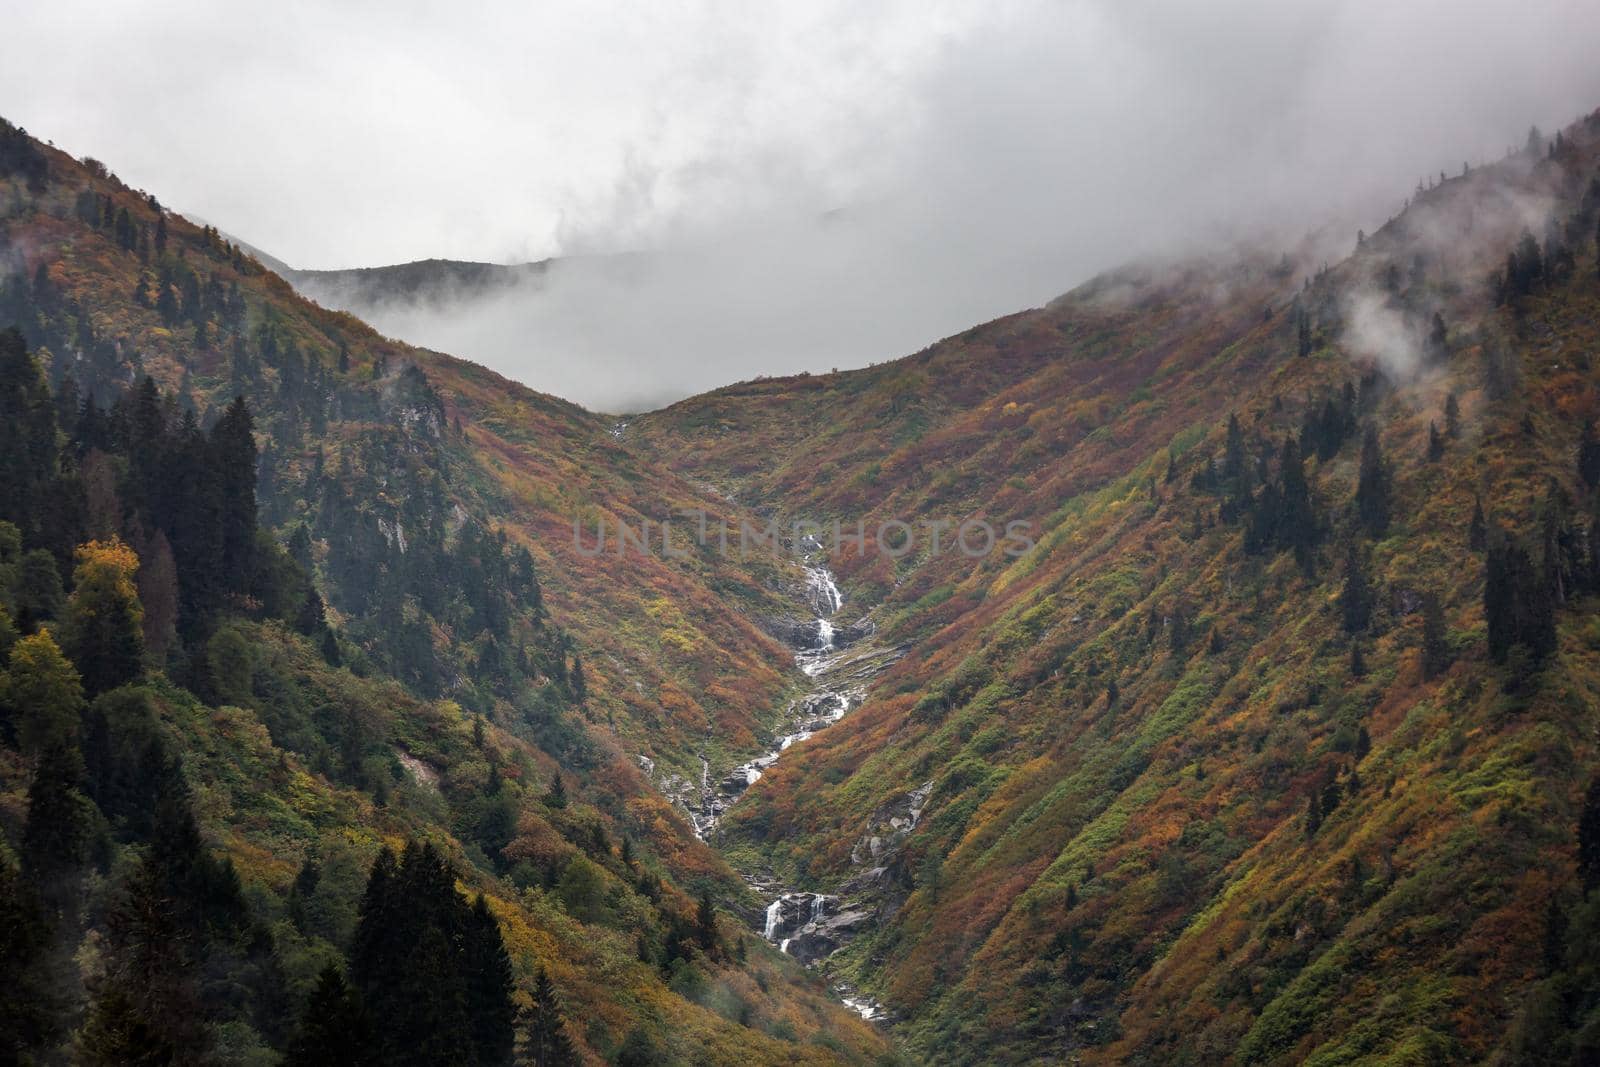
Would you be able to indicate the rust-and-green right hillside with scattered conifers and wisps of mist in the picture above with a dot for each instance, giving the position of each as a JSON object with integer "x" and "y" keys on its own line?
{"x": 1278, "y": 748}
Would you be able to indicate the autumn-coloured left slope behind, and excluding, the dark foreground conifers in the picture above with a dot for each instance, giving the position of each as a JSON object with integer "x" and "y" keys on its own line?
{"x": 484, "y": 685}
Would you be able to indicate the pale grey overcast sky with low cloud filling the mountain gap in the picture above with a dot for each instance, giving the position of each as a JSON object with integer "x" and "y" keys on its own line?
{"x": 828, "y": 183}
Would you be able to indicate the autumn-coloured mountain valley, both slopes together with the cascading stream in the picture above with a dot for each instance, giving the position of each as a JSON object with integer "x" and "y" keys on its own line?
{"x": 1202, "y": 666}
